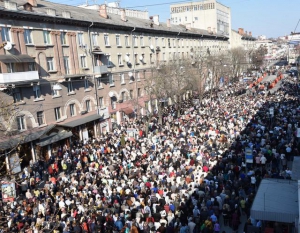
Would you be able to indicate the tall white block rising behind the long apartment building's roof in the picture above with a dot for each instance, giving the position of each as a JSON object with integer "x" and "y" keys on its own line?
{"x": 208, "y": 15}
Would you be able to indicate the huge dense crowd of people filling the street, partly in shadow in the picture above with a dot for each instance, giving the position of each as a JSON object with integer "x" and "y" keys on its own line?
{"x": 186, "y": 175}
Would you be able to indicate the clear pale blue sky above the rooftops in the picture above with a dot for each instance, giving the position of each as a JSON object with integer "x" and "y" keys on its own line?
{"x": 272, "y": 18}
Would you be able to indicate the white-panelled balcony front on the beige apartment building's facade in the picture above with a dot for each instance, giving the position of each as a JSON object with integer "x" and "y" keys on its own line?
{"x": 6, "y": 78}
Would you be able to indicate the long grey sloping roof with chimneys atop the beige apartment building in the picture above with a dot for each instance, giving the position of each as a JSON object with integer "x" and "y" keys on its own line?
{"x": 89, "y": 16}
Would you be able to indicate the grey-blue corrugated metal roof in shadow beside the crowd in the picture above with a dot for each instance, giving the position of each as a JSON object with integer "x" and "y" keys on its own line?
{"x": 276, "y": 200}
